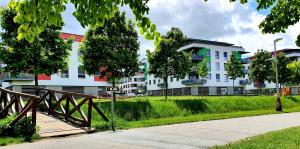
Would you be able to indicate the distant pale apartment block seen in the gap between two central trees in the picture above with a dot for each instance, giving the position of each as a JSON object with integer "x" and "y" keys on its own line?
{"x": 135, "y": 85}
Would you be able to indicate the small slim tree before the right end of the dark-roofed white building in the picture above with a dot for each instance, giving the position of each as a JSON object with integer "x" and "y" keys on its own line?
{"x": 235, "y": 69}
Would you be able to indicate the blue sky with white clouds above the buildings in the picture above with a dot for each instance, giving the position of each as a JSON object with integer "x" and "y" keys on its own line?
{"x": 214, "y": 20}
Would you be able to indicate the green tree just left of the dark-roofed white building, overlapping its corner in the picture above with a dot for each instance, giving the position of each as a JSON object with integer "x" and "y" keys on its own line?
{"x": 166, "y": 61}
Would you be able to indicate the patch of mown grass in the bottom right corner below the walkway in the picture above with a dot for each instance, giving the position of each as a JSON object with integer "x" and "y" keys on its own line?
{"x": 283, "y": 139}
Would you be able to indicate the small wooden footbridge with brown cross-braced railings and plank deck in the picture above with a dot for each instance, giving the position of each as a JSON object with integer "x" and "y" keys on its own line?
{"x": 57, "y": 113}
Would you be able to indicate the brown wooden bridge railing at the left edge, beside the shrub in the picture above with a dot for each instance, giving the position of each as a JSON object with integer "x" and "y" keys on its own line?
{"x": 11, "y": 103}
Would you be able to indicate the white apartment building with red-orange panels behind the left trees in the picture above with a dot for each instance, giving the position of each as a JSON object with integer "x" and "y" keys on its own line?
{"x": 74, "y": 79}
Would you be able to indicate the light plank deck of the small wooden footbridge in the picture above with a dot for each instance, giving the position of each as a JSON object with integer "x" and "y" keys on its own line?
{"x": 50, "y": 126}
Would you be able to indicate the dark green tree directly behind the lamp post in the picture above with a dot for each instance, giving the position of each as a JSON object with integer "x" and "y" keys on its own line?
{"x": 284, "y": 73}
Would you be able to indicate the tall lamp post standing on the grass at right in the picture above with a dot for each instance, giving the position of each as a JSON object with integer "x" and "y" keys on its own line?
{"x": 278, "y": 102}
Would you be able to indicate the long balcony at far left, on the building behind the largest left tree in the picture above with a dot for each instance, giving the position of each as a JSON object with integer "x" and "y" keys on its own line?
{"x": 20, "y": 77}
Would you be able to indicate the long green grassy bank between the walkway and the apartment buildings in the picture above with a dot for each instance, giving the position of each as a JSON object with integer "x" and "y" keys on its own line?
{"x": 154, "y": 111}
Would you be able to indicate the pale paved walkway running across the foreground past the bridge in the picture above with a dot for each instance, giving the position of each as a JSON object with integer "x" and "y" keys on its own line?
{"x": 188, "y": 135}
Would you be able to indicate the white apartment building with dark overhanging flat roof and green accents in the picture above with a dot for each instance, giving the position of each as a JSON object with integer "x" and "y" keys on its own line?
{"x": 217, "y": 82}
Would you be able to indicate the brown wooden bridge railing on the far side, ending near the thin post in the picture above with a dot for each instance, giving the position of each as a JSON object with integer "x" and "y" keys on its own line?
{"x": 58, "y": 103}
